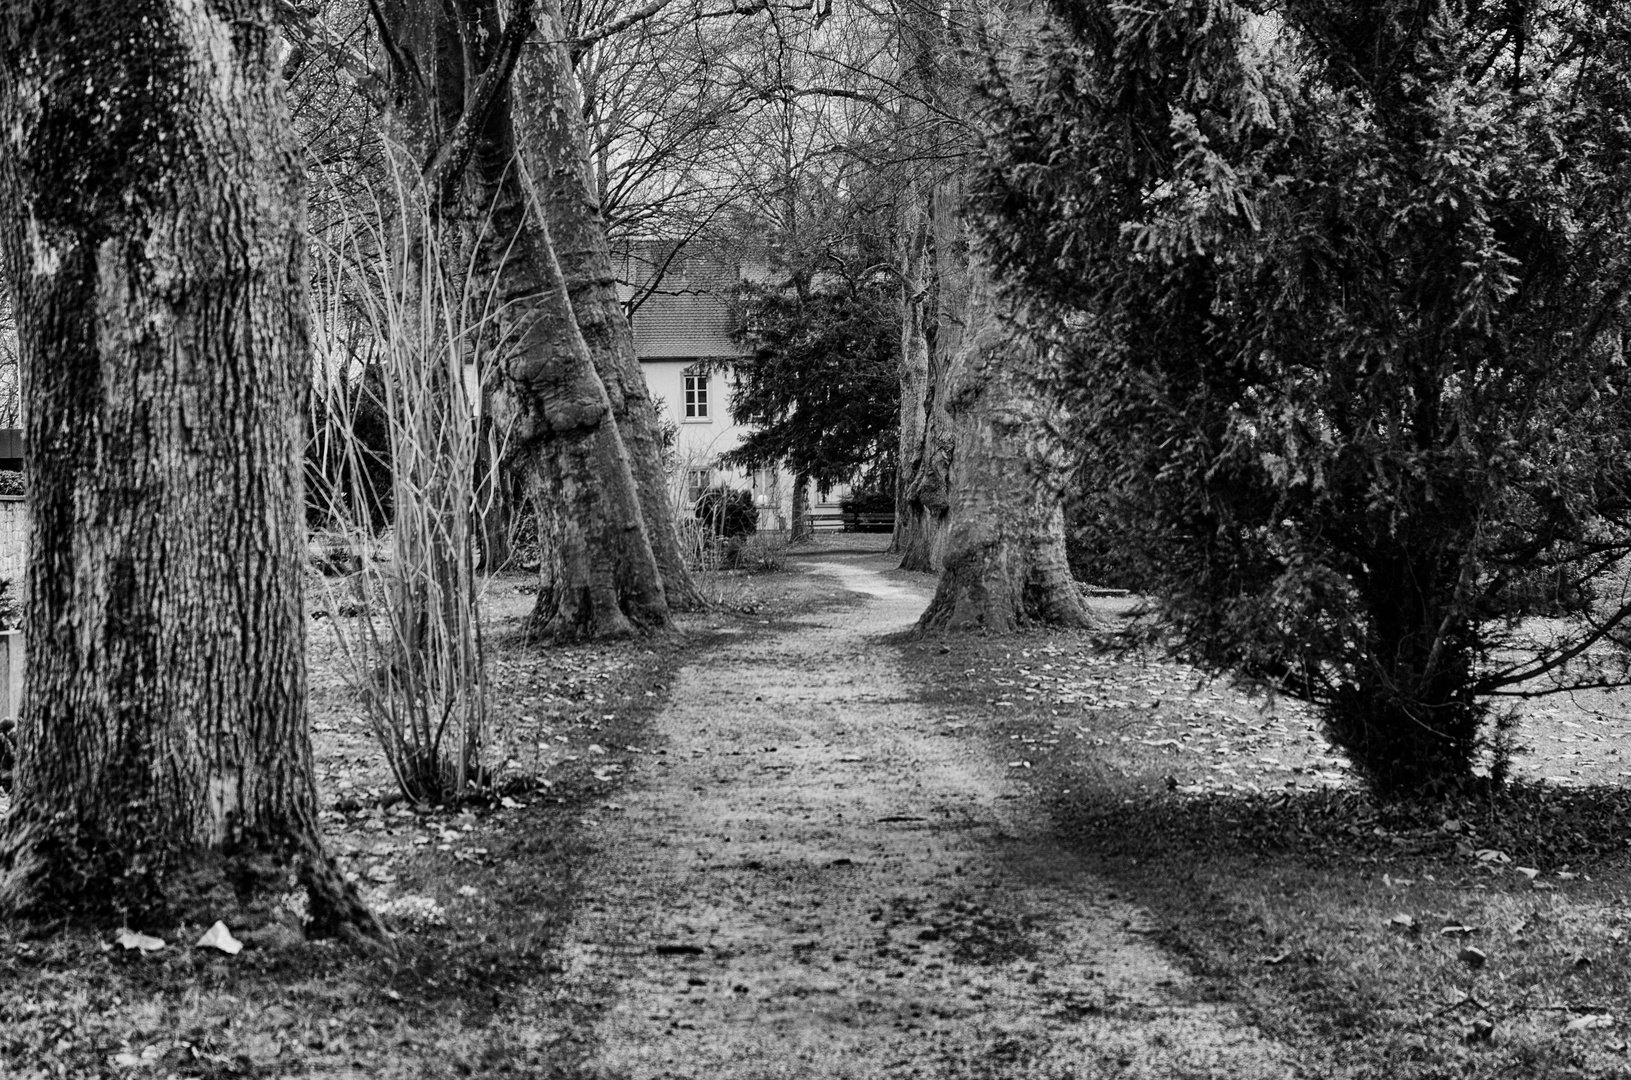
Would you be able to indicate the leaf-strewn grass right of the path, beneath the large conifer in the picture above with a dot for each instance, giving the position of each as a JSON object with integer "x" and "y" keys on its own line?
{"x": 1436, "y": 941}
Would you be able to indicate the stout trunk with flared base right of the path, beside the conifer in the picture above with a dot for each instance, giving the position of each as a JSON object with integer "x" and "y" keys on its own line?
{"x": 1006, "y": 554}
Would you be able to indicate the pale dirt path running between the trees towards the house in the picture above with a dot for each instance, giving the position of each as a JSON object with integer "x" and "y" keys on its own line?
{"x": 820, "y": 879}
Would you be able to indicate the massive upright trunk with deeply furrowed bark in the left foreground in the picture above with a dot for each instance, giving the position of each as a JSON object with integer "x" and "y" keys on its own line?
{"x": 159, "y": 254}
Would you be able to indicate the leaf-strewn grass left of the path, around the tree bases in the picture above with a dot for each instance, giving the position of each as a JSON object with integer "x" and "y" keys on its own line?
{"x": 479, "y": 896}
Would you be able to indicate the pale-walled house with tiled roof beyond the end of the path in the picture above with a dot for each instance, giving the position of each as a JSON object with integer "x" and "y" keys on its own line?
{"x": 683, "y": 335}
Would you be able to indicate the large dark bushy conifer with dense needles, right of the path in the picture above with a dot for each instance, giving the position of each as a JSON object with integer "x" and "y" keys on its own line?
{"x": 1345, "y": 294}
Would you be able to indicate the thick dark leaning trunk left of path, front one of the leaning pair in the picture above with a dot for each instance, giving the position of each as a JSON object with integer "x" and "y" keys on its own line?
{"x": 598, "y": 573}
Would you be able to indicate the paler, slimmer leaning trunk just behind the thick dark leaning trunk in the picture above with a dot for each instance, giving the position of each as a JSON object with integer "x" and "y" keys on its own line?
{"x": 557, "y": 151}
